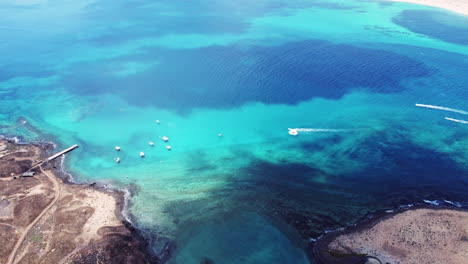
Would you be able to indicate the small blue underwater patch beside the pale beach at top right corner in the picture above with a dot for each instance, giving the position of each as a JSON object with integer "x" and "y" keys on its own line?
{"x": 438, "y": 25}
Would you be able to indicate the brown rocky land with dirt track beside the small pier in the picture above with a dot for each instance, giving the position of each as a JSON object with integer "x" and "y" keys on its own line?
{"x": 44, "y": 220}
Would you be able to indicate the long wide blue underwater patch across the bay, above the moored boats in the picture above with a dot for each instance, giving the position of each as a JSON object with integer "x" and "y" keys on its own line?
{"x": 225, "y": 77}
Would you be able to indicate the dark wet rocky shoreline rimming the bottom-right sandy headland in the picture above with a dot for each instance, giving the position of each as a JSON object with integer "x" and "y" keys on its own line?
{"x": 323, "y": 254}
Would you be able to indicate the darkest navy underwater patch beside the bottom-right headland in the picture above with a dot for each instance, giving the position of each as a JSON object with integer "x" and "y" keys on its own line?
{"x": 397, "y": 173}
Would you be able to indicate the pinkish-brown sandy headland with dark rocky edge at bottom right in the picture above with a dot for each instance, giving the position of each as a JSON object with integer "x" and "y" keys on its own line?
{"x": 415, "y": 236}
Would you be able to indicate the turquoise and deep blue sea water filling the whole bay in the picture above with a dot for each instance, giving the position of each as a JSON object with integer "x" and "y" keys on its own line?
{"x": 99, "y": 73}
